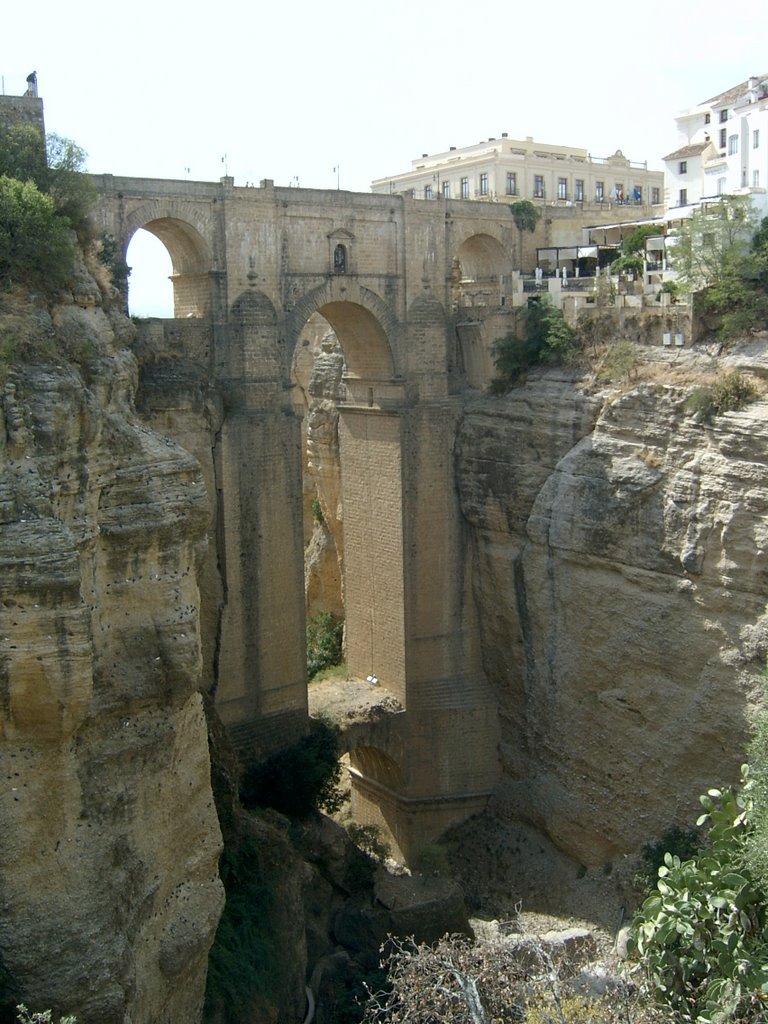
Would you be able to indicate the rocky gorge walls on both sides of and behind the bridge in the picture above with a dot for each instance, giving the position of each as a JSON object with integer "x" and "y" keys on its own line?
{"x": 618, "y": 551}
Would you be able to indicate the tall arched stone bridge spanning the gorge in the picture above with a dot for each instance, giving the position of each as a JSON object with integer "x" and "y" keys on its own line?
{"x": 413, "y": 290}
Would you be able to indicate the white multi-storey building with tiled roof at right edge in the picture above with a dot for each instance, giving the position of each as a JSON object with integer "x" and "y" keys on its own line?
{"x": 723, "y": 149}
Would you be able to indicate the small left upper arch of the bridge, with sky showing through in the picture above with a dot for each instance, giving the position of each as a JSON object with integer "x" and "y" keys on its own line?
{"x": 179, "y": 227}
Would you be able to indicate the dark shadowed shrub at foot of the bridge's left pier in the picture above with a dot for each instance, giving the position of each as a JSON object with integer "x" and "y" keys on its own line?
{"x": 301, "y": 779}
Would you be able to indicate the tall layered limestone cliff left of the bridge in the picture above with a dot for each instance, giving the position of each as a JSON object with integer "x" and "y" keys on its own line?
{"x": 109, "y": 840}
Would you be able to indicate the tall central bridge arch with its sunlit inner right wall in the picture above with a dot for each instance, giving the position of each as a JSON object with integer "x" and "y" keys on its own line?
{"x": 371, "y": 460}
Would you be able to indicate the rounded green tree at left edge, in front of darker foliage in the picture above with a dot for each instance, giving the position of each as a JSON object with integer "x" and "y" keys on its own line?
{"x": 35, "y": 244}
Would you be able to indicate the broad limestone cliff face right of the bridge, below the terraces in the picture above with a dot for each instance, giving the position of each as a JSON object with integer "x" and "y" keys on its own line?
{"x": 620, "y": 558}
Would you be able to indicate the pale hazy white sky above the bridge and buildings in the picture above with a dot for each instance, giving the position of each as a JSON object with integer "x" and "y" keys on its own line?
{"x": 291, "y": 91}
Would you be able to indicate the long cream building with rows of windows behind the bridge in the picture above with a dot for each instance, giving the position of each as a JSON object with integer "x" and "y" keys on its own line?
{"x": 504, "y": 169}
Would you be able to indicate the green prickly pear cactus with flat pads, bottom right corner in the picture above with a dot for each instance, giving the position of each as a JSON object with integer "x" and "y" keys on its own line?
{"x": 703, "y": 934}
